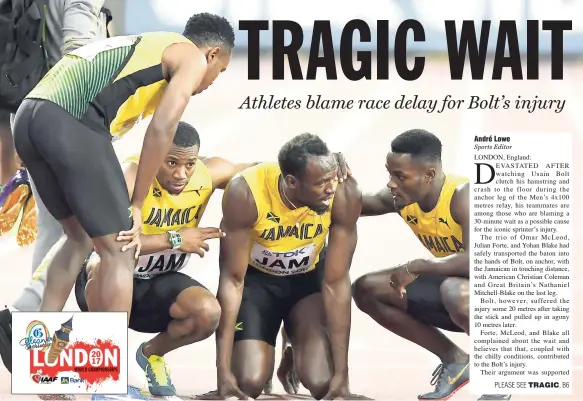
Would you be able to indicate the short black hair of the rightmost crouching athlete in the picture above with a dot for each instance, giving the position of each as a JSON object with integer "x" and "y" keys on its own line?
{"x": 419, "y": 143}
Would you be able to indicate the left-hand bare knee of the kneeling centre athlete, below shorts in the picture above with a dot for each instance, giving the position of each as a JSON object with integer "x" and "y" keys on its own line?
{"x": 252, "y": 365}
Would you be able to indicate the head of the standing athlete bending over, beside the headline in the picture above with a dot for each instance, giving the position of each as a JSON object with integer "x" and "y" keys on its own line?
{"x": 214, "y": 35}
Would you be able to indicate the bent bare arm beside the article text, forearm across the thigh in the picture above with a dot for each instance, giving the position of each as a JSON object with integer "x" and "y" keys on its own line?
{"x": 457, "y": 265}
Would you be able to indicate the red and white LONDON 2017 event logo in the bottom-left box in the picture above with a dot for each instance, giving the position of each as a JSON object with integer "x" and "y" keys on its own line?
{"x": 71, "y": 363}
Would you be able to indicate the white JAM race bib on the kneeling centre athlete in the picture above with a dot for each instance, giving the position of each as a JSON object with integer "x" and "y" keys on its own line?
{"x": 283, "y": 263}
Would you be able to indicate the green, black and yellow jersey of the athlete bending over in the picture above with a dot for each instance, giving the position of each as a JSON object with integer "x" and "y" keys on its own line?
{"x": 117, "y": 81}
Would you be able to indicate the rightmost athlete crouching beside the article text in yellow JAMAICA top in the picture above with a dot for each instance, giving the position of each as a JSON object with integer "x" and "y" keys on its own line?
{"x": 435, "y": 206}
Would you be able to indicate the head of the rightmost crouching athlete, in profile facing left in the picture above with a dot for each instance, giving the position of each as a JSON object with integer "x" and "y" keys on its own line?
{"x": 414, "y": 163}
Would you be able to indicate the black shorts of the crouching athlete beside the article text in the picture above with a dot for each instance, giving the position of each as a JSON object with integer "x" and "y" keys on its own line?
{"x": 424, "y": 303}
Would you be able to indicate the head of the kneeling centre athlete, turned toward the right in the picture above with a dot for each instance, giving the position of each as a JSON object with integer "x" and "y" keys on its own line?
{"x": 309, "y": 170}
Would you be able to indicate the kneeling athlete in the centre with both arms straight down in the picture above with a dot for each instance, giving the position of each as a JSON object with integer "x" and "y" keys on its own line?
{"x": 275, "y": 267}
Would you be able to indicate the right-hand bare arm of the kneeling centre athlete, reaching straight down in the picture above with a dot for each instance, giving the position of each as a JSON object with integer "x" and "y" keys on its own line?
{"x": 336, "y": 286}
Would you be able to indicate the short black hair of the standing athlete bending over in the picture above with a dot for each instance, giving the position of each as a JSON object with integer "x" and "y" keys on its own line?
{"x": 210, "y": 30}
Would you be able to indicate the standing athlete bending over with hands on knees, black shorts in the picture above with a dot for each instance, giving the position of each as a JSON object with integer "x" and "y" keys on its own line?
{"x": 63, "y": 133}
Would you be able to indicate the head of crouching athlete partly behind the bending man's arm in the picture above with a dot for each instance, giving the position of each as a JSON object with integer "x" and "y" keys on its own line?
{"x": 180, "y": 162}
